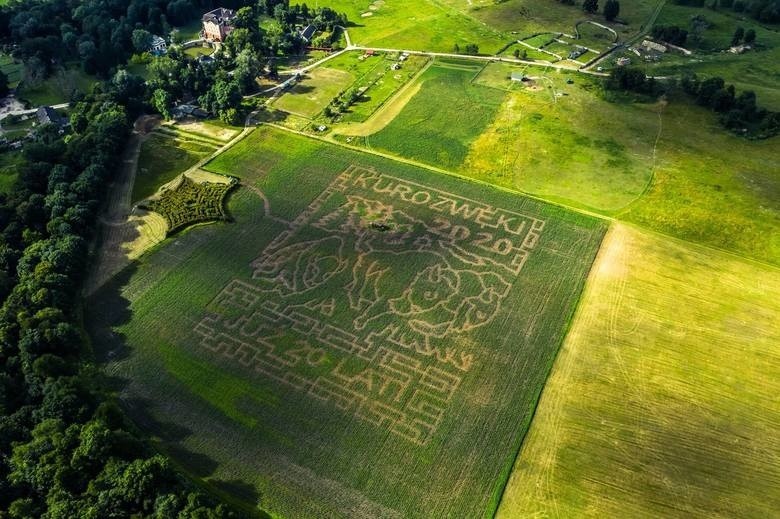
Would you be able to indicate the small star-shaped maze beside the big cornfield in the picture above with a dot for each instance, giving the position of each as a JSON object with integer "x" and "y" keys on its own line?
{"x": 190, "y": 202}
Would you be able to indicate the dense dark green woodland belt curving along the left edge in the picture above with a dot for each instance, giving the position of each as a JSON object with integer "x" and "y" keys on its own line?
{"x": 65, "y": 448}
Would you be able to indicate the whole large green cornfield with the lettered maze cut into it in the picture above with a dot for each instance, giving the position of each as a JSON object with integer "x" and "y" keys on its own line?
{"x": 366, "y": 338}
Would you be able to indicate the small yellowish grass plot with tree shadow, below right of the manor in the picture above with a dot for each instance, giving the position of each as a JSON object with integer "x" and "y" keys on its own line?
{"x": 314, "y": 92}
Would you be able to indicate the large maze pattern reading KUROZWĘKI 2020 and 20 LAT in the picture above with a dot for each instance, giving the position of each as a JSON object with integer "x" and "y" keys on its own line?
{"x": 395, "y": 366}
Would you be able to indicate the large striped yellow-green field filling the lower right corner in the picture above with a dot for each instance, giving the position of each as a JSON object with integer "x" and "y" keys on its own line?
{"x": 663, "y": 400}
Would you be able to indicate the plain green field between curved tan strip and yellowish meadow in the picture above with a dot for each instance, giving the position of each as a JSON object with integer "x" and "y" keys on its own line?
{"x": 445, "y": 116}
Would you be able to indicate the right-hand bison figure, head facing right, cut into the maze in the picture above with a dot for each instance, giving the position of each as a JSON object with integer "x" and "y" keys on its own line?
{"x": 436, "y": 301}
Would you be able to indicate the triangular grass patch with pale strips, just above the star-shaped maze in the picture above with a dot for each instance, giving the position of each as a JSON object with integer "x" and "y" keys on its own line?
{"x": 166, "y": 154}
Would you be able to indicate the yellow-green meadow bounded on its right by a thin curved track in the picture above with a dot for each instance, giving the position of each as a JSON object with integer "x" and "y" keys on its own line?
{"x": 543, "y": 140}
